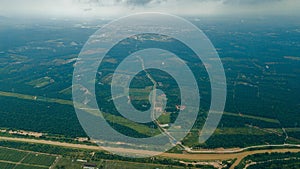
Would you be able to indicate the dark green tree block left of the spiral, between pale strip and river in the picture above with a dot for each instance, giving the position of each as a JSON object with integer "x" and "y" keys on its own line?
{"x": 48, "y": 117}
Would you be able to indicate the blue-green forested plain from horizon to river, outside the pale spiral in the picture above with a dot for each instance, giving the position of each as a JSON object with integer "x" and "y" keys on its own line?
{"x": 260, "y": 56}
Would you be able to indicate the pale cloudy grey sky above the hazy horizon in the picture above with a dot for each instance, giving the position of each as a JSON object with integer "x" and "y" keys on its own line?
{"x": 117, "y": 8}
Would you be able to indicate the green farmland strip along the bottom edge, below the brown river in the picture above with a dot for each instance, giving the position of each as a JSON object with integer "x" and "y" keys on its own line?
{"x": 74, "y": 158}
